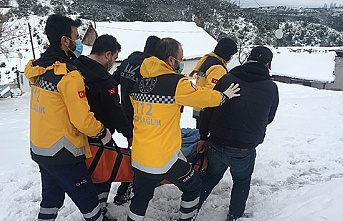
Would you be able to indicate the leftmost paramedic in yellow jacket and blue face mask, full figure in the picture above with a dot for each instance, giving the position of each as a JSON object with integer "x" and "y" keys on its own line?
{"x": 60, "y": 121}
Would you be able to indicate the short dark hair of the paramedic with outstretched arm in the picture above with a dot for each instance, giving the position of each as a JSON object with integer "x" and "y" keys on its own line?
{"x": 167, "y": 47}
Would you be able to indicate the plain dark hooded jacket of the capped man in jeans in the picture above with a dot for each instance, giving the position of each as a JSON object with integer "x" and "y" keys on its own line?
{"x": 242, "y": 122}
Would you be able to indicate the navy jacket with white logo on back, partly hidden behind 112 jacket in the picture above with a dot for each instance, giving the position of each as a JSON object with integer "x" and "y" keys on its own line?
{"x": 127, "y": 74}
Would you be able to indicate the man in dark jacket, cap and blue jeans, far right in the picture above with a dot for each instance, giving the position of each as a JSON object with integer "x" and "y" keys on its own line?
{"x": 238, "y": 128}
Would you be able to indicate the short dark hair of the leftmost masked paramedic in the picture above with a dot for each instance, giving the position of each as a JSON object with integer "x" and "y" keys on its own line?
{"x": 57, "y": 26}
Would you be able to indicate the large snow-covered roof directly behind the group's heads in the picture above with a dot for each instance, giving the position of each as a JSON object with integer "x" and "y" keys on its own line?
{"x": 132, "y": 36}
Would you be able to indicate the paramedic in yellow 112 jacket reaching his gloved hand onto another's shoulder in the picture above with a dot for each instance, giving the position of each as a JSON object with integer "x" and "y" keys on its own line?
{"x": 157, "y": 99}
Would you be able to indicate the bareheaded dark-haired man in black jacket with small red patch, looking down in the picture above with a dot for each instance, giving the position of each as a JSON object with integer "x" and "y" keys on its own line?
{"x": 102, "y": 94}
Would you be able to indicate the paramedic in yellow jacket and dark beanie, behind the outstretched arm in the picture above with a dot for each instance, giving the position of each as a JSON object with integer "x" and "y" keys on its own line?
{"x": 211, "y": 67}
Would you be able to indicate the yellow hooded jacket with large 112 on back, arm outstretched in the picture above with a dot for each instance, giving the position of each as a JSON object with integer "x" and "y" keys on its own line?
{"x": 157, "y": 99}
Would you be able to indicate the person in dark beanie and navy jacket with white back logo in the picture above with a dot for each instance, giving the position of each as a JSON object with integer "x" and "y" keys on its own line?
{"x": 127, "y": 74}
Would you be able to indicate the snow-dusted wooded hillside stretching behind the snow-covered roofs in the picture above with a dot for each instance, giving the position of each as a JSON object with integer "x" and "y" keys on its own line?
{"x": 220, "y": 18}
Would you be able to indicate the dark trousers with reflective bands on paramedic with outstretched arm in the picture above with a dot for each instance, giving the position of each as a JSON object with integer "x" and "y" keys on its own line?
{"x": 180, "y": 174}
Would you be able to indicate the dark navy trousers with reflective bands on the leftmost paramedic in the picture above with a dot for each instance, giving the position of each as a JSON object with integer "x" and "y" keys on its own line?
{"x": 74, "y": 180}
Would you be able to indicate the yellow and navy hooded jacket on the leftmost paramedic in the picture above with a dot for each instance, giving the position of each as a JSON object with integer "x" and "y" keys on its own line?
{"x": 60, "y": 118}
